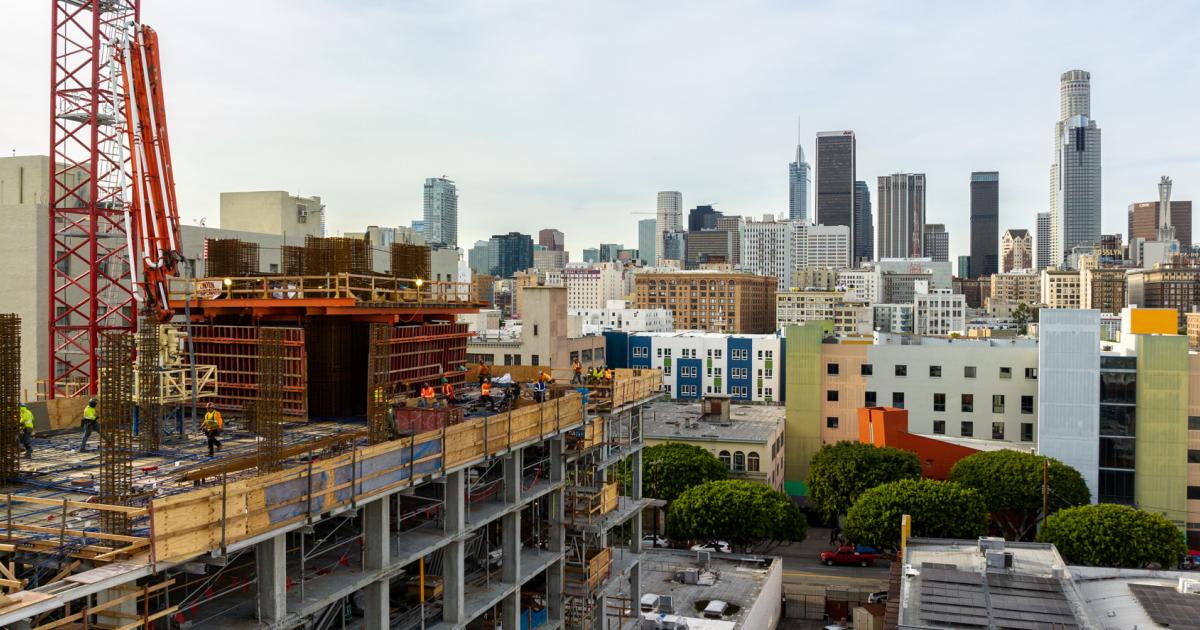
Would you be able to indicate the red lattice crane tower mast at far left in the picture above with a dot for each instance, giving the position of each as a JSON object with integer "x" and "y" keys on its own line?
{"x": 91, "y": 286}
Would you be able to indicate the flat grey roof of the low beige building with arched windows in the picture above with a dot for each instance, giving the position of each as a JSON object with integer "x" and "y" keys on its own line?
{"x": 748, "y": 423}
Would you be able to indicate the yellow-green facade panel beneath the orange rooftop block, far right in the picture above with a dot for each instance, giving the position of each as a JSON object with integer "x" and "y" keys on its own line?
{"x": 1161, "y": 455}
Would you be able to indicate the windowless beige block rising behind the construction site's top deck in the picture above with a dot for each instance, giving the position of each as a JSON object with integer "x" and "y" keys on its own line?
{"x": 274, "y": 213}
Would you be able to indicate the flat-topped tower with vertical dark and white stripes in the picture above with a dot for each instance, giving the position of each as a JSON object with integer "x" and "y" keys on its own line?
{"x": 901, "y": 200}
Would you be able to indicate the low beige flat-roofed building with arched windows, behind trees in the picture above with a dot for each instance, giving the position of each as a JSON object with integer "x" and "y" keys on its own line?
{"x": 748, "y": 439}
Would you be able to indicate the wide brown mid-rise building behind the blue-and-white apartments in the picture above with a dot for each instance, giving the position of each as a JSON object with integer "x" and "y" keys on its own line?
{"x": 711, "y": 301}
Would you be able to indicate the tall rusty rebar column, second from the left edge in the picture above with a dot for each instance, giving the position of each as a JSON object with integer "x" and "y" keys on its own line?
{"x": 116, "y": 429}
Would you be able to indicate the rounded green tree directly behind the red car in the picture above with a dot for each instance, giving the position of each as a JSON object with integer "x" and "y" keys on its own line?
{"x": 939, "y": 509}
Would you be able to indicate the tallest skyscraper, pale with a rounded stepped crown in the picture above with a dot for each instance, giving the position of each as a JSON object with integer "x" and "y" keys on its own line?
{"x": 1076, "y": 173}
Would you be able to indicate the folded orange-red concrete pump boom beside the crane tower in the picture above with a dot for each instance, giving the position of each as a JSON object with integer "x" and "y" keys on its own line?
{"x": 153, "y": 213}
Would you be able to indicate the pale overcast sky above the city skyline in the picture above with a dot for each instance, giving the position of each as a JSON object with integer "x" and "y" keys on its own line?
{"x": 573, "y": 116}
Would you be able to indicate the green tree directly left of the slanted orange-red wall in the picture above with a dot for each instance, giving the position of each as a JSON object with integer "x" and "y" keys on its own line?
{"x": 839, "y": 473}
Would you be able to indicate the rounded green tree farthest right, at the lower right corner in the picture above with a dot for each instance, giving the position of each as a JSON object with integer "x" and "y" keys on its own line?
{"x": 1114, "y": 536}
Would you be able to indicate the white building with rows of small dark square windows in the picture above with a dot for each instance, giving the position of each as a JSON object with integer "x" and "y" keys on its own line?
{"x": 982, "y": 389}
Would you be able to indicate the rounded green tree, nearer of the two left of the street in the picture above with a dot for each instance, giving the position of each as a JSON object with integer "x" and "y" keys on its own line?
{"x": 748, "y": 515}
